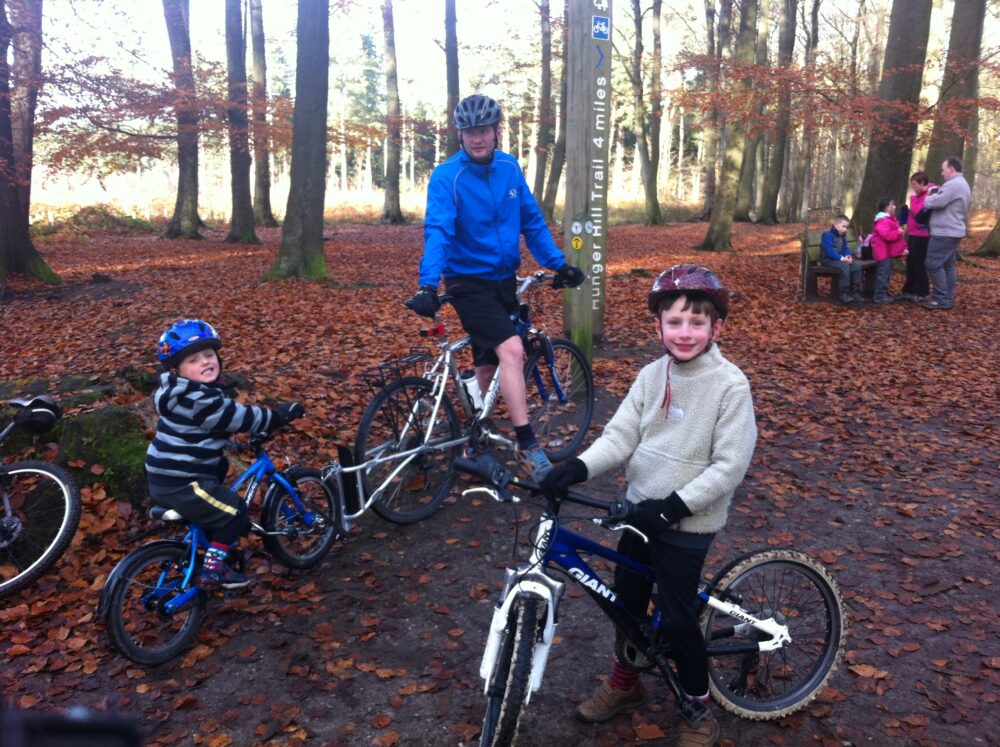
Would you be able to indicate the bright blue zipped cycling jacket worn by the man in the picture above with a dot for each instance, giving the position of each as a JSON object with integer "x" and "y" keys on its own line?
{"x": 475, "y": 216}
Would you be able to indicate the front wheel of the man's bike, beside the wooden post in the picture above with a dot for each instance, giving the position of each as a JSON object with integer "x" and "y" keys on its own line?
{"x": 560, "y": 397}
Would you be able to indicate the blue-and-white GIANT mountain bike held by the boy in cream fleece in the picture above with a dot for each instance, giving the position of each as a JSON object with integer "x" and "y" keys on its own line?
{"x": 773, "y": 620}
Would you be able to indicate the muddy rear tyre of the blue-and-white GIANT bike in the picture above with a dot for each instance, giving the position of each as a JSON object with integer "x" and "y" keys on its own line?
{"x": 831, "y": 649}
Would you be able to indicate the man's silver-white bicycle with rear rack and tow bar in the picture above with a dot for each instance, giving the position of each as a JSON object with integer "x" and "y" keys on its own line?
{"x": 411, "y": 432}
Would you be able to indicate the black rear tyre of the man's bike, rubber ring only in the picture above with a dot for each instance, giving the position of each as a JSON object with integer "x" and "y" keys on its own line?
{"x": 380, "y": 505}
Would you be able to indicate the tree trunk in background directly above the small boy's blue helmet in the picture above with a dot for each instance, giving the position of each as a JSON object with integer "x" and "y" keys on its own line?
{"x": 185, "y": 221}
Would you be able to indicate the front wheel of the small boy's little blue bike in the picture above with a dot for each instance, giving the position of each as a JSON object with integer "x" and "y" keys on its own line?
{"x": 300, "y": 538}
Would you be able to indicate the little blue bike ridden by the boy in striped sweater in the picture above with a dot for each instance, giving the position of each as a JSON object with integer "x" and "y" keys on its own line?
{"x": 151, "y": 604}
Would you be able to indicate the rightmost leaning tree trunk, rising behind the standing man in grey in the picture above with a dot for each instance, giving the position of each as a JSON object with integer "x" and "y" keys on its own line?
{"x": 960, "y": 86}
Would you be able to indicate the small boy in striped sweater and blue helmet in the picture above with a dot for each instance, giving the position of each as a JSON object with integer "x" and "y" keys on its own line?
{"x": 185, "y": 465}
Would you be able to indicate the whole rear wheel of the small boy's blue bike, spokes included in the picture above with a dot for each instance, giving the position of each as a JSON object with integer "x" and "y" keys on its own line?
{"x": 151, "y": 617}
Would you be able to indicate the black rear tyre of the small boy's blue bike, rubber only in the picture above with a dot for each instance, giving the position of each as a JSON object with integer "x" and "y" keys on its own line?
{"x": 134, "y": 562}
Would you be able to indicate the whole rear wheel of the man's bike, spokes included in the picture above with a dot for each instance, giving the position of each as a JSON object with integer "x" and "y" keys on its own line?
{"x": 401, "y": 418}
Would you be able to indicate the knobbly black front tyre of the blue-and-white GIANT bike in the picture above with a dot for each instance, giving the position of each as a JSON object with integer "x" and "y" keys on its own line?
{"x": 512, "y": 673}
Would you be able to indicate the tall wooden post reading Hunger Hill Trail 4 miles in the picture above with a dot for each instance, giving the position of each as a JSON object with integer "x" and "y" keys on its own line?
{"x": 588, "y": 134}
